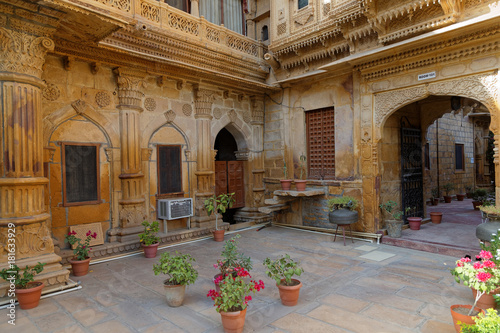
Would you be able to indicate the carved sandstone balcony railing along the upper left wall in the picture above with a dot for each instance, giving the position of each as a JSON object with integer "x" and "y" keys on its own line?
{"x": 169, "y": 18}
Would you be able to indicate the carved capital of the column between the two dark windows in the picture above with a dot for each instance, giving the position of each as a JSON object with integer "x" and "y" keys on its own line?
{"x": 130, "y": 83}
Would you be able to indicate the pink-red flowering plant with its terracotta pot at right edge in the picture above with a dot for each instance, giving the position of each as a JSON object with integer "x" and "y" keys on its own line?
{"x": 482, "y": 275}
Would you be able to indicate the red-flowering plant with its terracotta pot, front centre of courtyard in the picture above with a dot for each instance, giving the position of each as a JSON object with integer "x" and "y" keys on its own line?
{"x": 232, "y": 299}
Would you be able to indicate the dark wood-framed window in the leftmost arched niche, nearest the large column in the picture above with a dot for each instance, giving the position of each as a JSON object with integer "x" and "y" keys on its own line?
{"x": 80, "y": 162}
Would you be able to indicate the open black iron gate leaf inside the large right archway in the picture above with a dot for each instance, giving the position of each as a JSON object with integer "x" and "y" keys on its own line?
{"x": 411, "y": 170}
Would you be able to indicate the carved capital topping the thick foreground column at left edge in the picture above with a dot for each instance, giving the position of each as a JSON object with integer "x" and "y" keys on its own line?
{"x": 22, "y": 53}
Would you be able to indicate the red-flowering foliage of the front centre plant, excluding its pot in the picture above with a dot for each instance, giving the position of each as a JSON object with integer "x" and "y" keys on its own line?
{"x": 235, "y": 291}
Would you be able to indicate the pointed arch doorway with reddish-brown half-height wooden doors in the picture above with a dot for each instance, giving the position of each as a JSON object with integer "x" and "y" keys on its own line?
{"x": 229, "y": 172}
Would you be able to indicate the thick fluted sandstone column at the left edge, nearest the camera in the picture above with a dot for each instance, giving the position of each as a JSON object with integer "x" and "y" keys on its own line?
{"x": 22, "y": 183}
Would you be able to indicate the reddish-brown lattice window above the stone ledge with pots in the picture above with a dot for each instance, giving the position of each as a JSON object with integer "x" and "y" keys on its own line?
{"x": 321, "y": 143}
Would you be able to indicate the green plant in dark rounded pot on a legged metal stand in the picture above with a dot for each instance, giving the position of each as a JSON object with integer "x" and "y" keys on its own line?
{"x": 342, "y": 213}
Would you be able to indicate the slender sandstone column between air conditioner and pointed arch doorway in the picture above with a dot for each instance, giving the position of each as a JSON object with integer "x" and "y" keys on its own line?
{"x": 205, "y": 155}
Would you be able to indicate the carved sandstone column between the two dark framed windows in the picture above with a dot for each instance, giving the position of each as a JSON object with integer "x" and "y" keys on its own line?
{"x": 132, "y": 205}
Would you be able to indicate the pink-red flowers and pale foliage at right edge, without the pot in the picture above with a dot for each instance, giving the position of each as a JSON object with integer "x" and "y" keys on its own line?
{"x": 482, "y": 275}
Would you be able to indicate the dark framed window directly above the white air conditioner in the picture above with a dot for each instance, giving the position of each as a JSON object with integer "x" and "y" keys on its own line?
{"x": 169, "y": 169}
